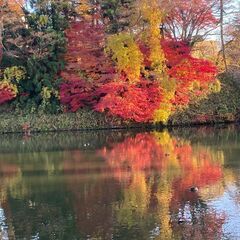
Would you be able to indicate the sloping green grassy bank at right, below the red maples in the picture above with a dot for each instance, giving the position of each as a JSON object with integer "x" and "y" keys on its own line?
{"x": 218, "y": 107}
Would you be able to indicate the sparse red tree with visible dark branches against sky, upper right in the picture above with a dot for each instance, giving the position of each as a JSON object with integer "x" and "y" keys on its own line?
{"x": 190, "y": 20}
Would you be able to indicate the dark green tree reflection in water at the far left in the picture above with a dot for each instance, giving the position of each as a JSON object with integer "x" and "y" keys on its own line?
{"x": 31, "y": 197}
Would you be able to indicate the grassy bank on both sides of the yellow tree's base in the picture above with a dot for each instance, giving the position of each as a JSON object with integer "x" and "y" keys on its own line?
{"x": 219, "y": 107}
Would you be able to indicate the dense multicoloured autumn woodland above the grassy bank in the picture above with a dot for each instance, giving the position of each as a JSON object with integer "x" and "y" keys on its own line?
{"x": 138, "y": 60}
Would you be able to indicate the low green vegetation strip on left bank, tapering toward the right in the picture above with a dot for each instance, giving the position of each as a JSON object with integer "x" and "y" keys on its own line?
{"x": 40, "y": 121}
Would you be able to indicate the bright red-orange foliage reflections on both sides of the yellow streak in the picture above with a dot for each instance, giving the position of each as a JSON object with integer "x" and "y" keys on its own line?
{"x": 143, "y": 152}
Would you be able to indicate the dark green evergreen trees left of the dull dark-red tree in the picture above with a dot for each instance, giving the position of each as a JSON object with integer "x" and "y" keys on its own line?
{"x": 41, "y": 55}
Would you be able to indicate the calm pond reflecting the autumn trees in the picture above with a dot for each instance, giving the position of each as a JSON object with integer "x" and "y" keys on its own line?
{"x": 168, "y": 184}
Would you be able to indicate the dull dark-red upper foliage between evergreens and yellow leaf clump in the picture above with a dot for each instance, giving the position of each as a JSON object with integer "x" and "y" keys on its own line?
{"x": 85, "y": 52}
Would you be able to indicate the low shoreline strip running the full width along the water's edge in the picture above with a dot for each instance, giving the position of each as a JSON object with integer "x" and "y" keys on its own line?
{"x": 87, "y": 120}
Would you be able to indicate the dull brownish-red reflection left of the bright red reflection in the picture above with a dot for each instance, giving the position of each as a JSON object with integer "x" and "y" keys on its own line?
{"x": 91, "y": 197}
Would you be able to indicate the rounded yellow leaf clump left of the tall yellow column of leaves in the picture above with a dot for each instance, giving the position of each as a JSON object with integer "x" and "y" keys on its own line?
{"x": 127, "y": 55}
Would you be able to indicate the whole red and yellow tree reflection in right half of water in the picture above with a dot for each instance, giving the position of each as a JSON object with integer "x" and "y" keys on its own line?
{"x": 177, "y": 167}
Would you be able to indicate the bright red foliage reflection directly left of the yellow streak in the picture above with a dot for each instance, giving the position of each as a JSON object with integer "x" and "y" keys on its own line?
{"x": 135, "y": 154}
